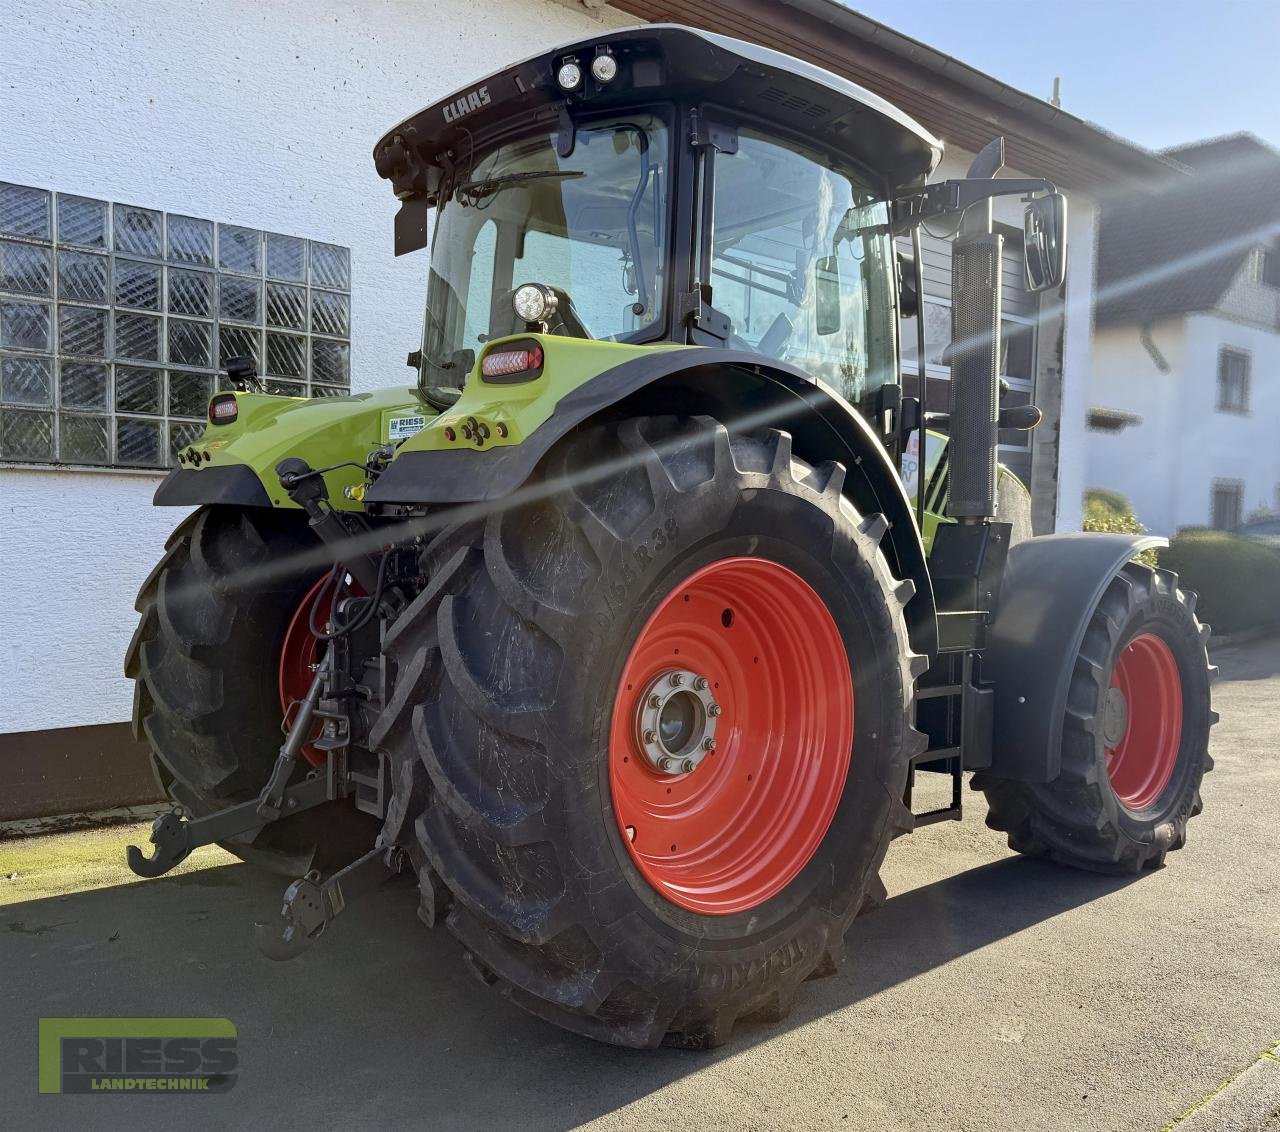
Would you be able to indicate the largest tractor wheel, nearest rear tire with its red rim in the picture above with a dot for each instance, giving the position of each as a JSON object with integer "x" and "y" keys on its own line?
{"x": 661, "y": 720}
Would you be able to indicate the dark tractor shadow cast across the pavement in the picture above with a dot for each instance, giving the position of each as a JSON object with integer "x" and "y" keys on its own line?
{"x": 387, "y": 1012}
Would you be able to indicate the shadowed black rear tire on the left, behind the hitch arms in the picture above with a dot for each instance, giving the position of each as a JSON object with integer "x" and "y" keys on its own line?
{"x": 207, "y": 663}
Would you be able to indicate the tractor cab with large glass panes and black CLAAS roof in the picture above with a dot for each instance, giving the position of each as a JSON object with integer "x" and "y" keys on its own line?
{"x": 661, "y": 185}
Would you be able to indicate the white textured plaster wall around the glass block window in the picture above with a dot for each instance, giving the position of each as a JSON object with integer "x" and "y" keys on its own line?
{"x": 262, "y": 115}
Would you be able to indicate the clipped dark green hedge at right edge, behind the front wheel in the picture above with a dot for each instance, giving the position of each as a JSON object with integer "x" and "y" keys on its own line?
{"x": 1238, "y": 581}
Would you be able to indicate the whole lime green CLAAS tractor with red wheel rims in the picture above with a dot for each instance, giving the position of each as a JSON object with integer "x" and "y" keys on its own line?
{"x": 623, "y": 629}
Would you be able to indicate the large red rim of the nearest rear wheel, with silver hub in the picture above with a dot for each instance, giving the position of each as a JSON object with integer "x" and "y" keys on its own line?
{"x": 778, "y": 710}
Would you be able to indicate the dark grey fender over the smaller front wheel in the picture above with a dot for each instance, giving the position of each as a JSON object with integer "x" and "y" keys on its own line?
{"x": 1053, "y": 586}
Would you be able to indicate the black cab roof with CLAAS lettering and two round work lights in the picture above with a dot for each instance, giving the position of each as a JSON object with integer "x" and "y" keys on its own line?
{"x": 660, "y": 63}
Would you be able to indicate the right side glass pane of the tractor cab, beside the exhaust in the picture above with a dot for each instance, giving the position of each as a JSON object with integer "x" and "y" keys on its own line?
{"x": 803, "y": 264}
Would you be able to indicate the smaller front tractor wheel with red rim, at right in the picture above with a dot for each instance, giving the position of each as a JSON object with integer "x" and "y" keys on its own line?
{"x": 1135, "y": 740}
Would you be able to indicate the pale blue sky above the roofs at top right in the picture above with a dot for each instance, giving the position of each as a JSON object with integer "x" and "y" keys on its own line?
{"x": 1158, "y": 72}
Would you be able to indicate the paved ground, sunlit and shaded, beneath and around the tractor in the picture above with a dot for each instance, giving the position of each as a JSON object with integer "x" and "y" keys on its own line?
{"x": 990, "y": 992}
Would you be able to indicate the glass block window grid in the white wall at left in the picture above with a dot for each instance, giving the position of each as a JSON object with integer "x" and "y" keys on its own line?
{"x": 117, "y": 321}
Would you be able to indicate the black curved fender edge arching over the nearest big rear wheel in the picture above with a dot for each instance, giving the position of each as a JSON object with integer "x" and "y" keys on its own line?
{"x": 743, "y": 390}
